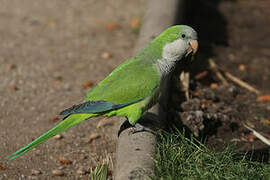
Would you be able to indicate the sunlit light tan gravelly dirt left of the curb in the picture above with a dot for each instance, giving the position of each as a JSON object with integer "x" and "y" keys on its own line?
{"x": 50, "y": 54}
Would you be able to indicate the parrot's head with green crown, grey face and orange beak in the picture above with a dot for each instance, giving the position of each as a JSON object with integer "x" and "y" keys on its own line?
{"x": 180, "y": 41}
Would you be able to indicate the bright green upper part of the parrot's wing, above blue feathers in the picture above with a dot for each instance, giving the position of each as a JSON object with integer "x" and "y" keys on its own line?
{"x": 133, "y": 80}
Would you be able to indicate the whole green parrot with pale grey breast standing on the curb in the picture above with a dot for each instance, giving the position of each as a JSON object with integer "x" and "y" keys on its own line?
{"x": 133, "y": 87}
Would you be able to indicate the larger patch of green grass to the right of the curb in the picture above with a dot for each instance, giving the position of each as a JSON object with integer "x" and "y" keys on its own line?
{"x": 180, "y": 158}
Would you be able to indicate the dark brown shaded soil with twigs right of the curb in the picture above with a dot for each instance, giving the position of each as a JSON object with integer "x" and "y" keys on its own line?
{"x": 235, "y": 34}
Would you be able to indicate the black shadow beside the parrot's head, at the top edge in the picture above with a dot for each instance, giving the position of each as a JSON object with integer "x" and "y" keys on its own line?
{"x": 211, "y": 25}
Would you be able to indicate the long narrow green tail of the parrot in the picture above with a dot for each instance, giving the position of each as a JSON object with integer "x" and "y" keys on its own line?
{"x": 67, "y": 123}
